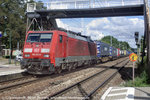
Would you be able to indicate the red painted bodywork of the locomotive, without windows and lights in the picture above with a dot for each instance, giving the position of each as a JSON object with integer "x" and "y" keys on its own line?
{"x": 68, "y": 47}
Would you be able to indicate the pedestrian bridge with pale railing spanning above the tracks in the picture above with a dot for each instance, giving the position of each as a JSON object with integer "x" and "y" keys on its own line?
{"x": 87, "y": 8}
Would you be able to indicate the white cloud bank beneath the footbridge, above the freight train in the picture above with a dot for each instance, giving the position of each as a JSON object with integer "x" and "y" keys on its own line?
{"x": 122, "y": 28}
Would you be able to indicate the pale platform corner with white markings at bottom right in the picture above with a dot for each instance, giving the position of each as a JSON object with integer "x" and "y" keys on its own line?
{"x": 126, "y": 93}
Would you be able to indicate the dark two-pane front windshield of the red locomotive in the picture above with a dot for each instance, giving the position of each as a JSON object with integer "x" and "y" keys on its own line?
{"x": 39, "y": 37}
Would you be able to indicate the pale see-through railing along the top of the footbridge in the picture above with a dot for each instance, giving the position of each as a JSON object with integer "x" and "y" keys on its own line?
{"x": 80, "y": 4}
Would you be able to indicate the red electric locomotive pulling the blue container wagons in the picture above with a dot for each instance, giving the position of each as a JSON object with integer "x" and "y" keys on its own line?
{"x": 46, "y": 52}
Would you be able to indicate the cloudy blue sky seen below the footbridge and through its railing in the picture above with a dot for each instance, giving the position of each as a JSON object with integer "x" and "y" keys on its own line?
{"x": 122, "y": 28}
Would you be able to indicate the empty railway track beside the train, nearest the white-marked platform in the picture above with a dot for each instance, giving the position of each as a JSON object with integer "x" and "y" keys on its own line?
{"x": 63, "y": 94}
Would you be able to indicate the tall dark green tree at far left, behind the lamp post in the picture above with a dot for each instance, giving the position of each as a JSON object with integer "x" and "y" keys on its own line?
{"x": 12, "y": 16}
